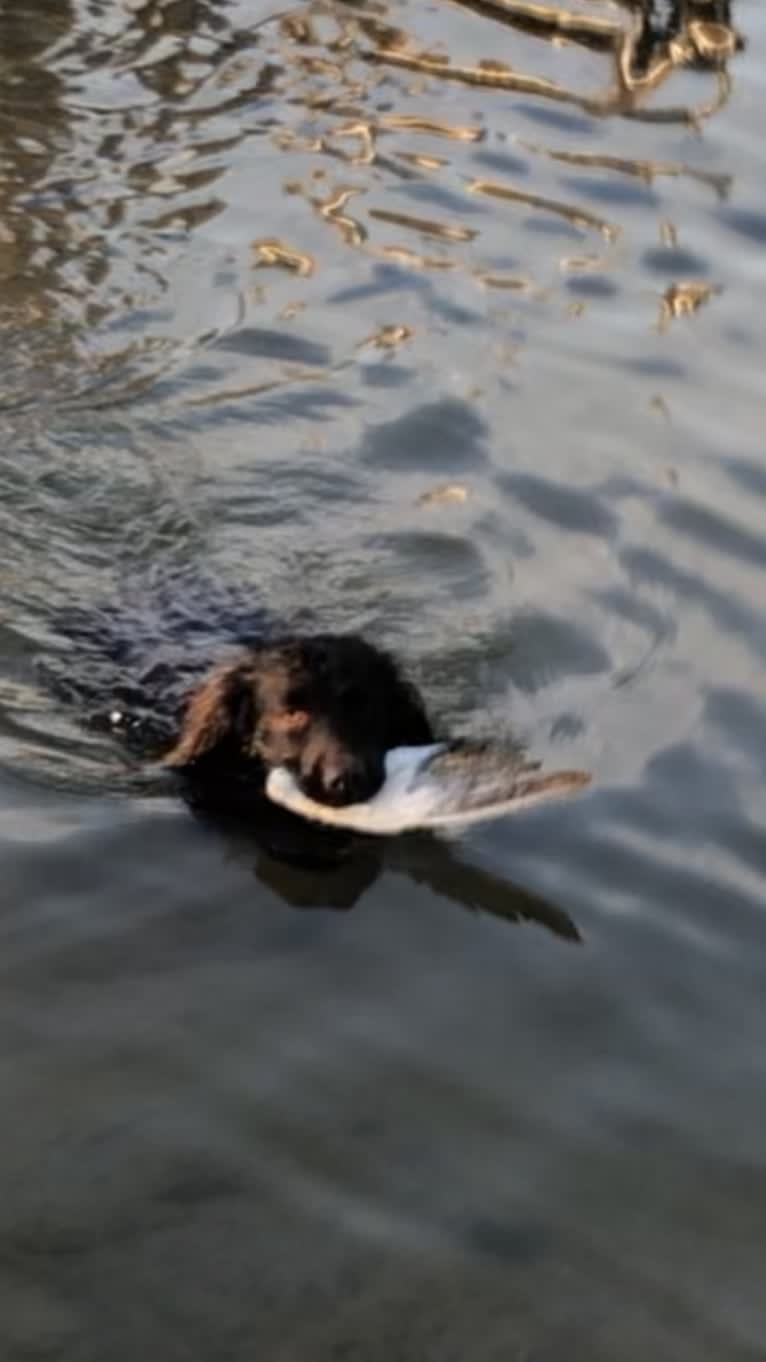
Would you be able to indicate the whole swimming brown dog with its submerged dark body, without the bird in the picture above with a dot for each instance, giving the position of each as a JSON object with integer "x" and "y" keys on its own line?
{"x": 142, "y": 668}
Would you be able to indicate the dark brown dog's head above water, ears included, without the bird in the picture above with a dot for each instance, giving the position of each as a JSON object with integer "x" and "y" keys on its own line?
{"x": 328, "y": 708}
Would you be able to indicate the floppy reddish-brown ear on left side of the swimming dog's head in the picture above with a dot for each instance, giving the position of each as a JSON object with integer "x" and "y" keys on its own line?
{"x": 221, "y": 708}
